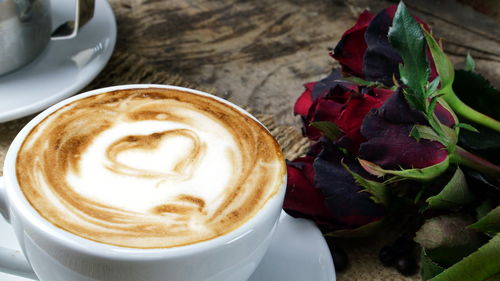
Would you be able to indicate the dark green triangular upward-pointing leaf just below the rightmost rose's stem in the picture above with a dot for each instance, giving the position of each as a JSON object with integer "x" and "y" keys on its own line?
{"x": 455, "y": 193}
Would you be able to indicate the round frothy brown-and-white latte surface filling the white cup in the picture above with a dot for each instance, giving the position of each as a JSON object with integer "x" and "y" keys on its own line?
{"x": 149, "y": 168}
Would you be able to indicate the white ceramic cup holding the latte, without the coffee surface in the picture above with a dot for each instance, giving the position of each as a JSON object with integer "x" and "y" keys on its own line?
{"x": 54, "y": 254}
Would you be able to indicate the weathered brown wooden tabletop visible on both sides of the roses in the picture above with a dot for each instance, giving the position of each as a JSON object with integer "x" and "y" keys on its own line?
{"x": 260, "y": 53}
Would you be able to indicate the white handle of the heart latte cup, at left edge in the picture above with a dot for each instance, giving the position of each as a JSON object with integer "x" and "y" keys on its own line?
{"x": 12, "y": 261}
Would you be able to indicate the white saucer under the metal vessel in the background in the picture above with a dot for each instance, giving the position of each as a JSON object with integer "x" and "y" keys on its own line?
{"x": 65, "y": 66}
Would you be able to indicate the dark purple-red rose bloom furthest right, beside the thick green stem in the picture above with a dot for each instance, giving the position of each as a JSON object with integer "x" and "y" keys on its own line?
{"x": 391, "y": 146}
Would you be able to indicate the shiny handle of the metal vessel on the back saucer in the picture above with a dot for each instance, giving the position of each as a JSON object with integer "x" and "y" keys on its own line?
{"x": 84, "y": 11}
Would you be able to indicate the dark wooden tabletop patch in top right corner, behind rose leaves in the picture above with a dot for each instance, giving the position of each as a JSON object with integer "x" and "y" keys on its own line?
{"x": 462, "y": 29}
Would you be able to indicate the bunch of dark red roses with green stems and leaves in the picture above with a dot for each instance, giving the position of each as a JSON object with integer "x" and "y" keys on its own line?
{"x": 401, "y": 136}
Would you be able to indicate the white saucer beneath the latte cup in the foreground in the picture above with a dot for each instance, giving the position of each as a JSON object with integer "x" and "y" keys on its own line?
{"x": 298, "y": 252}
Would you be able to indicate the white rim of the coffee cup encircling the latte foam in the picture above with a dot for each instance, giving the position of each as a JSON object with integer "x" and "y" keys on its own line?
{"x": 30, "y": 216}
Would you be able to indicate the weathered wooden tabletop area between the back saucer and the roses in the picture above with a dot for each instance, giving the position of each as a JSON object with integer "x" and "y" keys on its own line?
{"x": 257, "y": 53}
